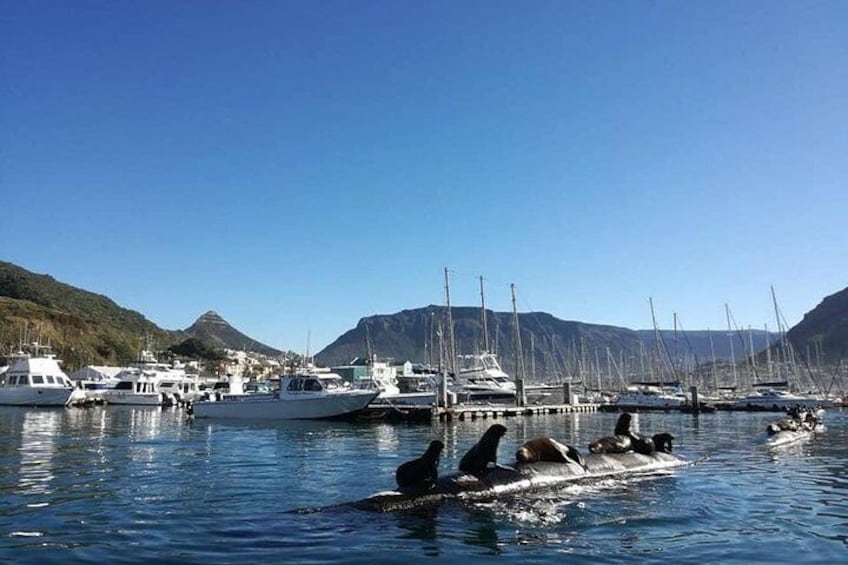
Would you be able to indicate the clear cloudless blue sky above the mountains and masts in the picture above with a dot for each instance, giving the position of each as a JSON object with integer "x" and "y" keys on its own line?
{"x": 296, "y": 166}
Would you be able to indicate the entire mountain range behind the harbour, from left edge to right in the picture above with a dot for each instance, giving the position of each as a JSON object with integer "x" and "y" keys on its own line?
{"x": 89, "y": 328}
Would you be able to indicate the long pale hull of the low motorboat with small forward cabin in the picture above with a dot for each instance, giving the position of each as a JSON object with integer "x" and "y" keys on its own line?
{"x": 270, "y": 407}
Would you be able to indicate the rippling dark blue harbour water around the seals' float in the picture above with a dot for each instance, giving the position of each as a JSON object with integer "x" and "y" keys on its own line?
{"x": 132, "y": 484}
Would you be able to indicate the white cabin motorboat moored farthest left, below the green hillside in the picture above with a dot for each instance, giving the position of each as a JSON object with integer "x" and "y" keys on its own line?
{"x": 35, "y": 380}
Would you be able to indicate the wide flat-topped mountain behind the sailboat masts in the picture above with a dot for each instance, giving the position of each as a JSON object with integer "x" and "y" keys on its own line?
{"x": 551, "y": 346}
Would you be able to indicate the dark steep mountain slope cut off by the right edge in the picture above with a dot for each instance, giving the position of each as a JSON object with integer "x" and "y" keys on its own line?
{"x": 824, "y": 331}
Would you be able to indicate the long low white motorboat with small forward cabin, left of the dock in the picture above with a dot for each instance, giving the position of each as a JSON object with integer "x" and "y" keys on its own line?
{"x": 301, "y": 397}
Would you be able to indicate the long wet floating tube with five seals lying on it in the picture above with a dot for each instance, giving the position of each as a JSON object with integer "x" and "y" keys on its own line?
{"x": 521, "y": 477}
